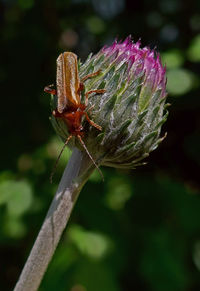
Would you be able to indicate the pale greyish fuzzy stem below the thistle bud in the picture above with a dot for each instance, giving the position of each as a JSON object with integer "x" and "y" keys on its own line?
{"x": 74, "y": 177}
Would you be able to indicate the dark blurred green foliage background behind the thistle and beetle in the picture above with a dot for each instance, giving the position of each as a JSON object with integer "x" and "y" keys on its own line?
{"x": 138, "y": 230}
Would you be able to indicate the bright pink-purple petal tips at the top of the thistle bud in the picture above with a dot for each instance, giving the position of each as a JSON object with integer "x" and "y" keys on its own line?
{"x": 140, "y": 61}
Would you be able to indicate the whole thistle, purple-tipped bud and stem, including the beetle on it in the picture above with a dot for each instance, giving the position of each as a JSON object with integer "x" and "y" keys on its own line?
{"x": 118, "y": 127}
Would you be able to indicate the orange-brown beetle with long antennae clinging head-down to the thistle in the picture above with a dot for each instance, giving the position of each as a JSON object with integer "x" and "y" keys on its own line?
{"x": 69, "y": 108}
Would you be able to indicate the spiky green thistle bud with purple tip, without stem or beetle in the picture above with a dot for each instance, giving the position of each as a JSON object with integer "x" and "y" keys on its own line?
{"x": 130, "y": 112}
